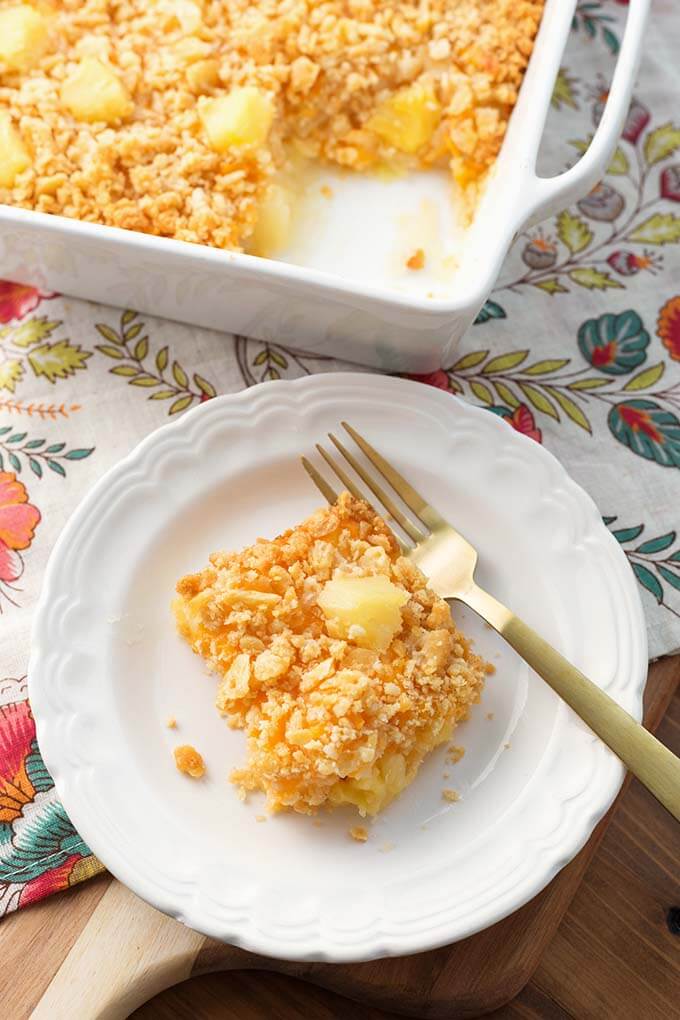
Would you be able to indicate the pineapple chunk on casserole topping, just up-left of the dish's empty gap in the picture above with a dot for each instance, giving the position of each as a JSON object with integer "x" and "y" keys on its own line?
{"x": 242, "y": 118}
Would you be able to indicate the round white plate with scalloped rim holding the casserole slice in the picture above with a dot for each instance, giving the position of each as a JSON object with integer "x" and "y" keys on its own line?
{"x": 108, "y": 670}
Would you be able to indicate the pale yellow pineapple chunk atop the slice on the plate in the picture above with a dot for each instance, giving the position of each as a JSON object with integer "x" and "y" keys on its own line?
{"x": 363, "y": 610}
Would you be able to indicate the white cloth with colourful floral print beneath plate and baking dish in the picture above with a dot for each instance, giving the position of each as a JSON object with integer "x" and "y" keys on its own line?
{"x": 579, "y": 347}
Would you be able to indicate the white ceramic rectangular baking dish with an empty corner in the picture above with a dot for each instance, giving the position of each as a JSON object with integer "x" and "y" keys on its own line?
{"x": 342, "y": 300}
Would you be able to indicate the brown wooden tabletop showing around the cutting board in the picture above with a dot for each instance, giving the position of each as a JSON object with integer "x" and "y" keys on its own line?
{"x": 616, "y": 954}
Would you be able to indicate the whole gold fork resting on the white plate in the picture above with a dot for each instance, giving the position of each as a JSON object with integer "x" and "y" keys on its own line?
{"x": 449, "y": 562}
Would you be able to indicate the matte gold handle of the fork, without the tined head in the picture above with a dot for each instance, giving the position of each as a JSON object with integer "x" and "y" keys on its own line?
{"x": 656, "y": 767}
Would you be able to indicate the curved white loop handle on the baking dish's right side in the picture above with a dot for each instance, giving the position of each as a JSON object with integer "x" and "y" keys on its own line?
{"x": 548, "y": 196}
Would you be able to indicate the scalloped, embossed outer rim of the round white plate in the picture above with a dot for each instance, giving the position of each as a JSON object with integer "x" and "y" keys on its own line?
{"x": 580, "y": 811}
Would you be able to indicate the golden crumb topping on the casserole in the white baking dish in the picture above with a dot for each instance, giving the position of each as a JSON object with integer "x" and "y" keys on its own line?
{"x": 328, "y": 66}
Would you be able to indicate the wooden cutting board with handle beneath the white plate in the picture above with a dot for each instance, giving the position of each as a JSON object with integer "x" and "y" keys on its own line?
{"x": 127, "y": 952}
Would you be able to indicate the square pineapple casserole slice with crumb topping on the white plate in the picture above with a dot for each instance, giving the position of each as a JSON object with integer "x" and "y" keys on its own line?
{"x": 343, "y": 668}
